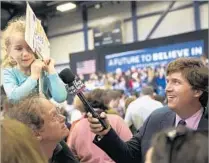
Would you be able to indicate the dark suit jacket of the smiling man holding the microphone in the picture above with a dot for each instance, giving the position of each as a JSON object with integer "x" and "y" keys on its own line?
{"x": 135, "y": 149}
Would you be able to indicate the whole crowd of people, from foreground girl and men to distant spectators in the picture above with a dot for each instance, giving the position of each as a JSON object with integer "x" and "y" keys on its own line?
{"x": 142, "y": 128}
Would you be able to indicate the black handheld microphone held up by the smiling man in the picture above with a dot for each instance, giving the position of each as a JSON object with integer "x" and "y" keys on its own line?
{"x": 75, "y": 87}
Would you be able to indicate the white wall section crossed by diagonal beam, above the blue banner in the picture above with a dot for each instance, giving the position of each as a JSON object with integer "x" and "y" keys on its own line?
{"x": 172, "y": 24}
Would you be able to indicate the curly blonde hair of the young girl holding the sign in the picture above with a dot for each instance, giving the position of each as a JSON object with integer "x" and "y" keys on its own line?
{"x": 14, "y": 25}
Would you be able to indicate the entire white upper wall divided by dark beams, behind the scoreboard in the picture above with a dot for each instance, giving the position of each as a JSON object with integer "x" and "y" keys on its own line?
{"x": 175, "y": 22}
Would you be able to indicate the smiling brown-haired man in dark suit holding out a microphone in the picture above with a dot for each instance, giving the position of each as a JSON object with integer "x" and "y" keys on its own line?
{"x": 187, "y": 96}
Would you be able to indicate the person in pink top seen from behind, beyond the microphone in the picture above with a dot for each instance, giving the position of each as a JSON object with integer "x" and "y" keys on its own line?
{"x": 80, "y": 137}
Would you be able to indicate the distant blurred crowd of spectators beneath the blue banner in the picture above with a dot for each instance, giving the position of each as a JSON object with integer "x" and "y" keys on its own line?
{"x": 131, "y": 81}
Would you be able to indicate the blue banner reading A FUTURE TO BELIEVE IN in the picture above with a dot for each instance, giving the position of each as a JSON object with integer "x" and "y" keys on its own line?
{"x": 153, "y": 56}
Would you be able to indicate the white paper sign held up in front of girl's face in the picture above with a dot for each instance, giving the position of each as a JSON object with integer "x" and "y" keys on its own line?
{"x": 35, "y": 35}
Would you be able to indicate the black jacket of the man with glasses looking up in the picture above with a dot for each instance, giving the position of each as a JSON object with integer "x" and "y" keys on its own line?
{"x": 62, "y": 154}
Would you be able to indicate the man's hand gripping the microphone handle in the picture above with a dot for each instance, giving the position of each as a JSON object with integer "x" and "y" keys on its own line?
{"x": 95, "y": 125}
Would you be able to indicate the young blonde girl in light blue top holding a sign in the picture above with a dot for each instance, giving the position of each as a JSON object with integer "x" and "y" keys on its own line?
{"x": 22, "y": 70}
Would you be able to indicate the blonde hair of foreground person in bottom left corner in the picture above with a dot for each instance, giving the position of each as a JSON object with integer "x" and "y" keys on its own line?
{"x": 18, "y": 144}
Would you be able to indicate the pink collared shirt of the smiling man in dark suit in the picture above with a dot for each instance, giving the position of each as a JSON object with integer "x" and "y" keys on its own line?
{"x": 193, "y": 121}
